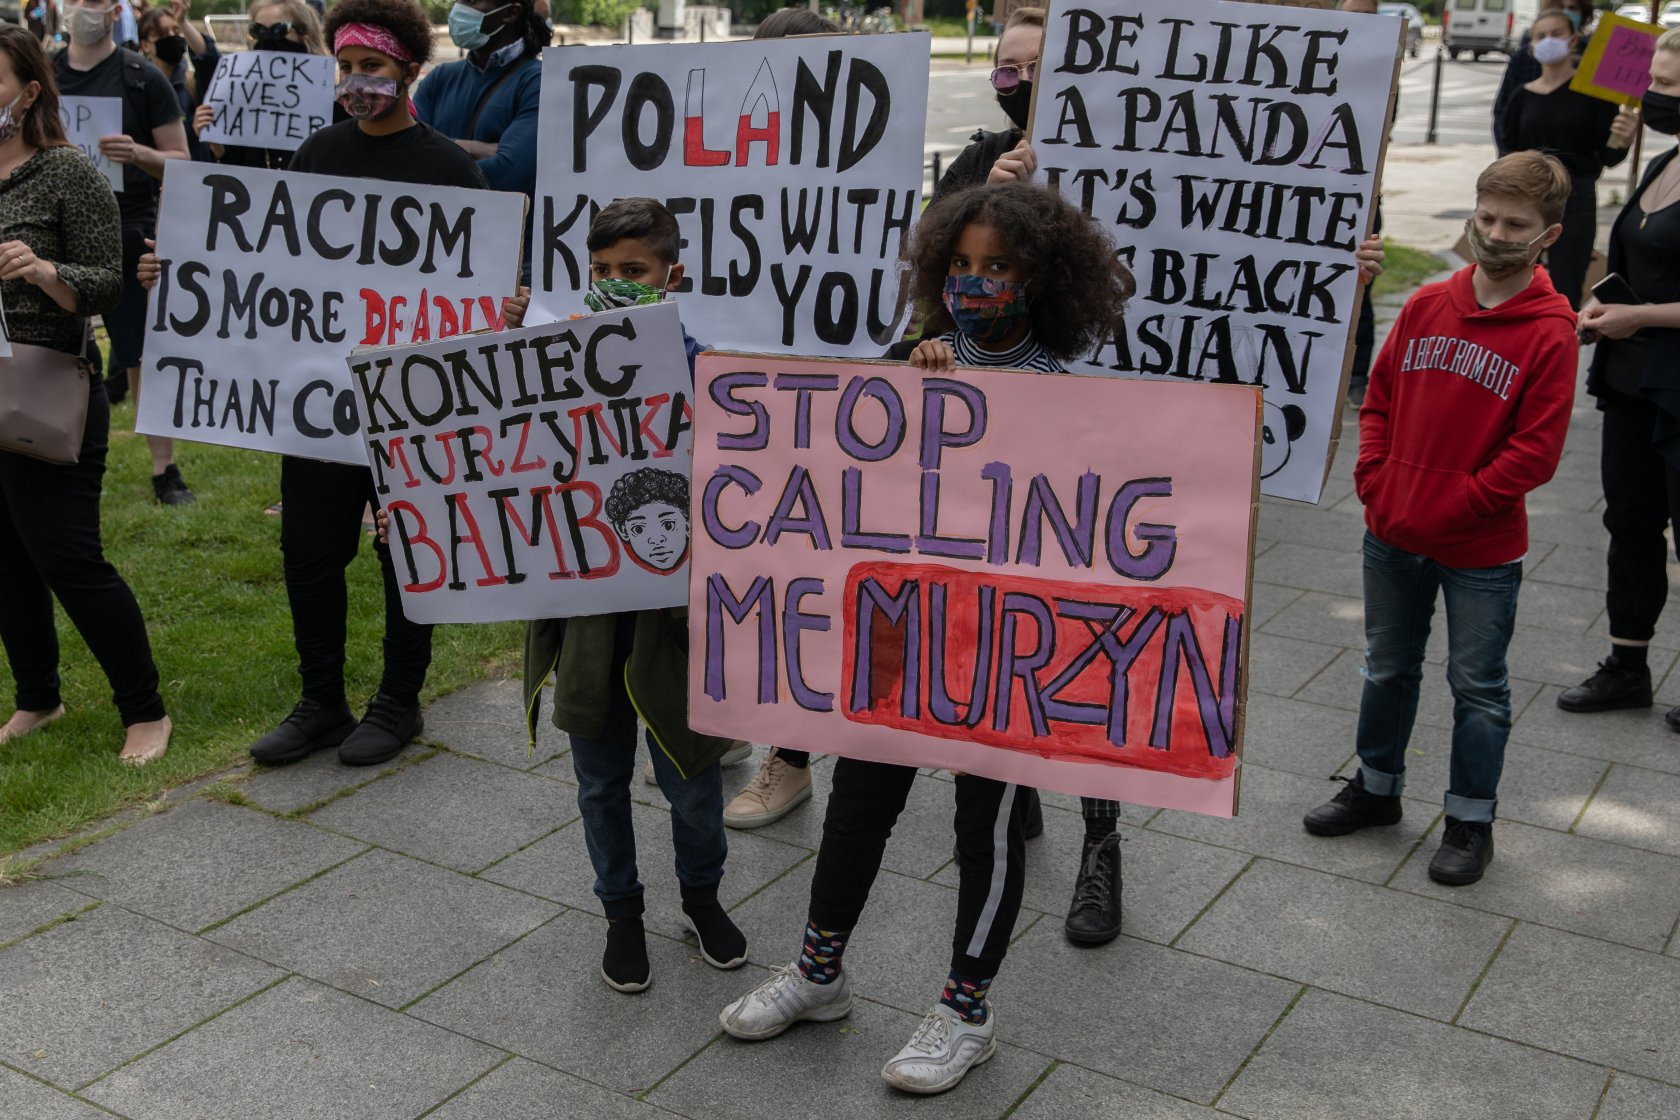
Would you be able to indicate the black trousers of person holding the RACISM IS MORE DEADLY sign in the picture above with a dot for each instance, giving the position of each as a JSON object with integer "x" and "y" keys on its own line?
{"x": 320, "y": 535}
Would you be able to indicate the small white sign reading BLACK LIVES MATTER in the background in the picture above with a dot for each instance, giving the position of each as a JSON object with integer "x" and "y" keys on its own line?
{"x": 270, "y": 98}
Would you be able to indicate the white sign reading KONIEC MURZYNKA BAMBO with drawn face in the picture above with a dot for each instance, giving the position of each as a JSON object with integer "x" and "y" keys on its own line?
{"x": 538, "y": 473}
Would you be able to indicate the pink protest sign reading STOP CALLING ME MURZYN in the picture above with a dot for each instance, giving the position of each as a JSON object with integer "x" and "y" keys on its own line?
{"x": 1012, "y": 575}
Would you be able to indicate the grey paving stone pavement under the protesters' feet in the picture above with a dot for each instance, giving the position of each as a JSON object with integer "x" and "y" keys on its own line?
{"x": 424, "y": 941}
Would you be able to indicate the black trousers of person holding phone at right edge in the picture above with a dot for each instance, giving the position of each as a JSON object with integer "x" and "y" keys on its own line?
{"x": 1642, "y": 498}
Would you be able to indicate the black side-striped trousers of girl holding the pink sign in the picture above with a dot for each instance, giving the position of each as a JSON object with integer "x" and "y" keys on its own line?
{"x": 990, "y": 850}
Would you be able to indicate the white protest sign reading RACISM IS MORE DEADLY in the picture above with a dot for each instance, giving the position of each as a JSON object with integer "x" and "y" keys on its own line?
{"x": 268, "y": 281}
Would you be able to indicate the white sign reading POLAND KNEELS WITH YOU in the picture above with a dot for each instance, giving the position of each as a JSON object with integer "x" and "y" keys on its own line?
{"x": 794, "y": 169}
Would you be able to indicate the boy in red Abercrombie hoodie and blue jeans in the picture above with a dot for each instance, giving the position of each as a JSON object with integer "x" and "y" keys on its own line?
{"x": 1466, "y": 414}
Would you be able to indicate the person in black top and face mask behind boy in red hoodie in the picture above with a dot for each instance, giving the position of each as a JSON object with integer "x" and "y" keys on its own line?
{"x": 1550, "y": 117}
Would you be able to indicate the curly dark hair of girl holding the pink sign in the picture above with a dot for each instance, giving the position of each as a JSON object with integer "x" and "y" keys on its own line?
{"x": 1078, "y": 286}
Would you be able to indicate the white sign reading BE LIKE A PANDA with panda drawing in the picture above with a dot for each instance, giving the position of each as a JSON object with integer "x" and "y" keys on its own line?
{"x": 1234, "y": 152}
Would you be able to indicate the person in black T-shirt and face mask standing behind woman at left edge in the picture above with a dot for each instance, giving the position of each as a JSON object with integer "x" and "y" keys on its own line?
{"x": 93, "y": 66}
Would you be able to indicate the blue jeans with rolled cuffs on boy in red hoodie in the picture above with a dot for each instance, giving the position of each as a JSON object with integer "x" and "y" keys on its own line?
{"x": 1481, "y": 615}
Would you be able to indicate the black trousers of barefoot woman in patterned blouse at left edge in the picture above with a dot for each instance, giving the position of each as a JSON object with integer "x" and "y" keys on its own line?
{"x": 50, "y": 547}
